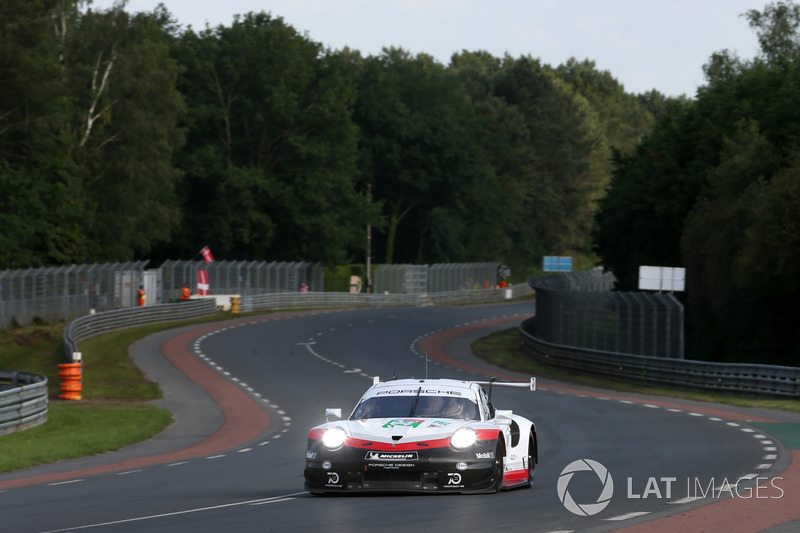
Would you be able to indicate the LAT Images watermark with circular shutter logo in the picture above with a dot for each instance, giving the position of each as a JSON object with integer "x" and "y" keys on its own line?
{"x": 667, "y": 488}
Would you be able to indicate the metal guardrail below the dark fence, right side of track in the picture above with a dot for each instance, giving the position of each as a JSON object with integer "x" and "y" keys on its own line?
{"x": 741, "y": 379}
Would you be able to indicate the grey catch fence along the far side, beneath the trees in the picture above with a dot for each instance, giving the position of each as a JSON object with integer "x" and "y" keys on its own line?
{"x": 65, "y": 293}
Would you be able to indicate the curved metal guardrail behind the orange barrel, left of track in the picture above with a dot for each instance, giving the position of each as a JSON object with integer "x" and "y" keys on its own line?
{"x": 90, "y": 325}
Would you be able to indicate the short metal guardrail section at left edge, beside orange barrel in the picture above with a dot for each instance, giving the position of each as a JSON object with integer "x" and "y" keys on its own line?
{"x": 22, "y": 406}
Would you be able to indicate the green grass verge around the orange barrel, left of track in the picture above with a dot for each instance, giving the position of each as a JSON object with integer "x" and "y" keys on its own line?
{"x": 114, "y": 412}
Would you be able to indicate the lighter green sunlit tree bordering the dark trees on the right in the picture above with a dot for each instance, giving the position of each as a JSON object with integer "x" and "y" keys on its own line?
{"x": 566, "y": 173}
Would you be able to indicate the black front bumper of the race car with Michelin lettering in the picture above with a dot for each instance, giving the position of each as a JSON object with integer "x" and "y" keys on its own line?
{"x": 440, "y": 470}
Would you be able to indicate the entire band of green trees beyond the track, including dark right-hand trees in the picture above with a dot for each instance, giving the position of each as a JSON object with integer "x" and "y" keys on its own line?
{"x": 126, "y": 136}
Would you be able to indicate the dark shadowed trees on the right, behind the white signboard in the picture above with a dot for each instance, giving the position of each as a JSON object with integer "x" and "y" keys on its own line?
{"x": 715, "y": 187}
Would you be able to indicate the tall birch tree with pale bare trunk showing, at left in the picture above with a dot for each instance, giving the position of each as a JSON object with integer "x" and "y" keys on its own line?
{"x": 124, "y": 126}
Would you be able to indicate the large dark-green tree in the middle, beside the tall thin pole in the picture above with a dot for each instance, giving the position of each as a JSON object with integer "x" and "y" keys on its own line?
{"x": 418, "y": 149}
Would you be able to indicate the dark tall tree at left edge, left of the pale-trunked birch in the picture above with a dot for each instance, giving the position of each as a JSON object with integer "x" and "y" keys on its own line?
{"x": 41, "y": 223}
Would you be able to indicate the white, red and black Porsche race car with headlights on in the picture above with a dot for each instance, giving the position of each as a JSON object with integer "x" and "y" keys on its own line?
{"x": 423, "y": 435}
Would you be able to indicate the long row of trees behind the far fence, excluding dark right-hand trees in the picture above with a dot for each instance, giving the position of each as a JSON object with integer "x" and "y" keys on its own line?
{"x": 125, "y": 136}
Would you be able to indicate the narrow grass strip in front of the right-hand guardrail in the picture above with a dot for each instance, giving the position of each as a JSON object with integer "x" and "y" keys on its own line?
{"x": 502, "y": 349}
